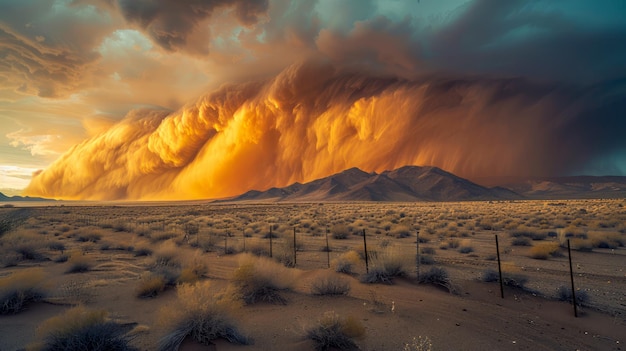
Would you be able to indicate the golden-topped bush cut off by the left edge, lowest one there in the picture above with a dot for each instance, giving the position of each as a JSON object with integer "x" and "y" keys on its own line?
{"x": 20, "y": 289}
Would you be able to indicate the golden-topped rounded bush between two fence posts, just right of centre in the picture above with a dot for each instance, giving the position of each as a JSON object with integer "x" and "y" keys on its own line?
{"x": 385, "y": 265}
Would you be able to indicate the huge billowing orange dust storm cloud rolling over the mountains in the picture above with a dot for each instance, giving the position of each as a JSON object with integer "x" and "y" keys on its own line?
{"x": 314, "y": 119}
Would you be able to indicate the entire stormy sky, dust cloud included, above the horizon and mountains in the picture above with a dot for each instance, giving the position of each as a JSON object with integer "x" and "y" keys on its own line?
{"x": 187, "y": 99}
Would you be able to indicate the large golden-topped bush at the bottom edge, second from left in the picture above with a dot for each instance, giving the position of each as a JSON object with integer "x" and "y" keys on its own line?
{"x": 201, "y": 313}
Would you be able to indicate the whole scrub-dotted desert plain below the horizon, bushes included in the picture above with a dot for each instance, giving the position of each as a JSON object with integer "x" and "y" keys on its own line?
{"x": 431, "y": 280}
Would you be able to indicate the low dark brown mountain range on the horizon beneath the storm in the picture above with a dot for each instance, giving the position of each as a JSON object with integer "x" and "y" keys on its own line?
{"x": 414, "y": 183}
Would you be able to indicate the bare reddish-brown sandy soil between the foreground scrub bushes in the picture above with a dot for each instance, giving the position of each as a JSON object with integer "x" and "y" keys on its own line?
{"x": 474, "y": 318}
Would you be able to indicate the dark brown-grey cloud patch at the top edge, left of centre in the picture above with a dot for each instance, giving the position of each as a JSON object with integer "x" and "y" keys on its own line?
{"x": 170, "y": 23}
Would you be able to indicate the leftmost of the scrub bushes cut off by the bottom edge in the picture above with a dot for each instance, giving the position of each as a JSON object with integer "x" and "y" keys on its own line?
{"x": 82, "y": 329}
